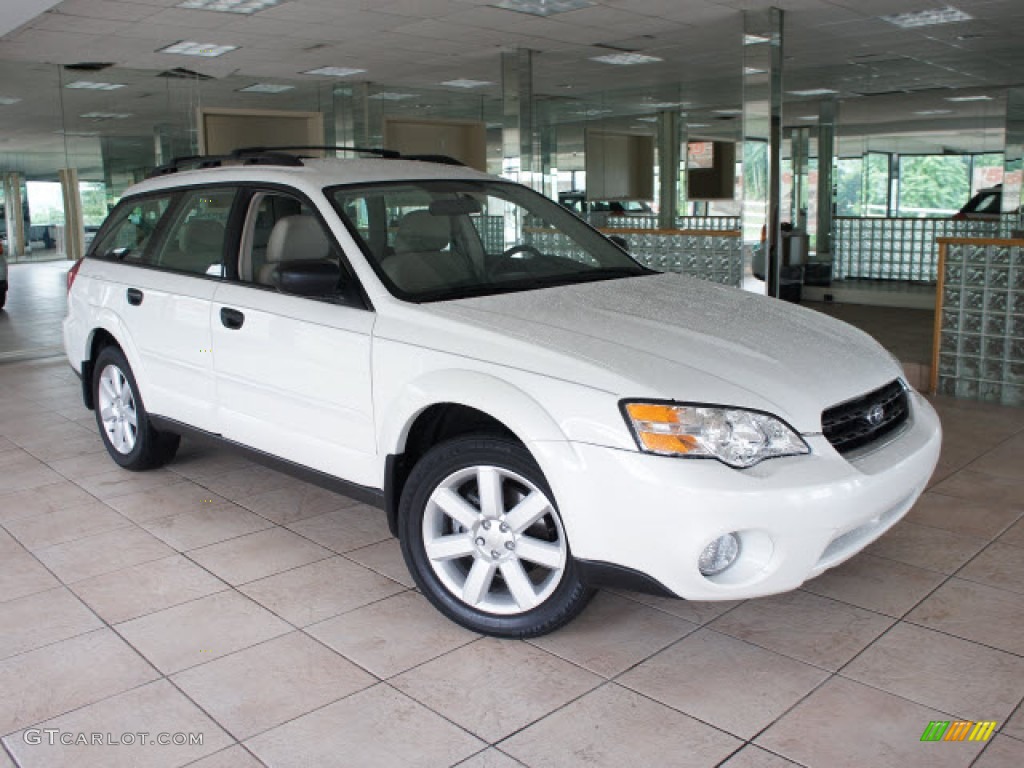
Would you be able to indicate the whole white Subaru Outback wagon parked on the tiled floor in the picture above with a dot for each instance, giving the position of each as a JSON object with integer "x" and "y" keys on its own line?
{"x": 537, "y": 413}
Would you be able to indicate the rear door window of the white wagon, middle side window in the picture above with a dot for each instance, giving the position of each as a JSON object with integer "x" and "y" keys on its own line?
{"x": 195, "y": 242}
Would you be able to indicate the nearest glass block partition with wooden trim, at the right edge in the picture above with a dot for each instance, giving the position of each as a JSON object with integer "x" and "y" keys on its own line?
{"x": 980, "y": 347}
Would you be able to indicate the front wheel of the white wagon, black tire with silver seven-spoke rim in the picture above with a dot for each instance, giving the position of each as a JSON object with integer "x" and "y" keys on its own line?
{"x": 485, "y": 570}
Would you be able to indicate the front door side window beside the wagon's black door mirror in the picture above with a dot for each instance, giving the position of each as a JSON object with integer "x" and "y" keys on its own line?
{"x": 286, "y": 247}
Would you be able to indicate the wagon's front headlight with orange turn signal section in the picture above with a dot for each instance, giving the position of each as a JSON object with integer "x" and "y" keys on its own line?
{"x": 735, "y": 437}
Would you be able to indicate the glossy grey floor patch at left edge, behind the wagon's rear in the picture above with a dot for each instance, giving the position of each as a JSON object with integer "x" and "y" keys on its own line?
{"x": 30, "y": 324}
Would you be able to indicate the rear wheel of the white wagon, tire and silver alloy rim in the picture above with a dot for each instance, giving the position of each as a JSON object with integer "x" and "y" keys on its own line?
{"x": 121, "y": 417}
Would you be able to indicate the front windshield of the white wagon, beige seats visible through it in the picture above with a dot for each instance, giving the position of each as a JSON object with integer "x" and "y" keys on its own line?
{"x": 433, "y": 241}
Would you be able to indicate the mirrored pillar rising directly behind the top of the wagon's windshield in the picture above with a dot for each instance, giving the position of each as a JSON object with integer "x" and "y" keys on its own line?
{"x": 521, "y": 140}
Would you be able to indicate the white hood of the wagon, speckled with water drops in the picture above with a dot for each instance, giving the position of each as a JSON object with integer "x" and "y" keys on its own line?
{"x": 686, "y": 339}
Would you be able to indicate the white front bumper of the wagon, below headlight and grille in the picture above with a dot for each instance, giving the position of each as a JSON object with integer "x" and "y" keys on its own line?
{"x": 795, "y": 518}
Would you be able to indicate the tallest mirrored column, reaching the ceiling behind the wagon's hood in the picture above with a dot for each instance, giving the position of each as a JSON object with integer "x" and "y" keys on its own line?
{"x": 762, "y": 74}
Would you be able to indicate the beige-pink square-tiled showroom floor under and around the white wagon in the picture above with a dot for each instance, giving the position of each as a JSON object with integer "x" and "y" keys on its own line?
{"x": 219, "y": 599}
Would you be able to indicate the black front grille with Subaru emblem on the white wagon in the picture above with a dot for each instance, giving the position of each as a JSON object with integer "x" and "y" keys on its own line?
{"x": 863, "y": 421}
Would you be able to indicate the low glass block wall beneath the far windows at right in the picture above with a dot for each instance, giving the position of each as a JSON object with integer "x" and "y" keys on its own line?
{"x": 898, "y": 249}
